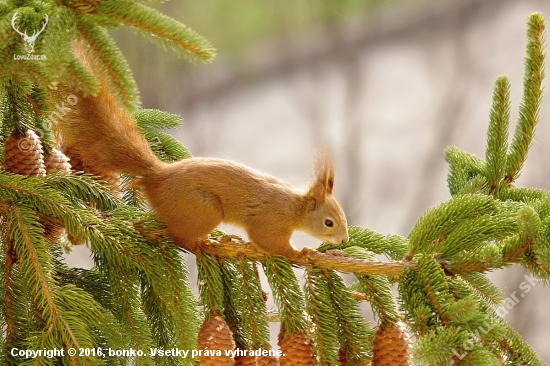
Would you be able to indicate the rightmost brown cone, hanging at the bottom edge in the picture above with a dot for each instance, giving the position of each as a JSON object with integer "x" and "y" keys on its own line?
{"x": 390, "y": 347}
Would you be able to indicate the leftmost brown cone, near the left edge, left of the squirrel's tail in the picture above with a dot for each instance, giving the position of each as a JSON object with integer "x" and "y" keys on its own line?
{"x": 24, "y": 155}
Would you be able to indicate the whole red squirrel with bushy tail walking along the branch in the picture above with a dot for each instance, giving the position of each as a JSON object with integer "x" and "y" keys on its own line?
{"x": 193, "y": 196}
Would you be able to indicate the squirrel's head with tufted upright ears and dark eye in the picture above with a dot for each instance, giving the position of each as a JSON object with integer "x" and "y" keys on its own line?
{"x": 325, "y": 219}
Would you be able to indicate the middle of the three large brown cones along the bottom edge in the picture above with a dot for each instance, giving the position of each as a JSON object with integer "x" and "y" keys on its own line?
{"x": 296, "y": 350}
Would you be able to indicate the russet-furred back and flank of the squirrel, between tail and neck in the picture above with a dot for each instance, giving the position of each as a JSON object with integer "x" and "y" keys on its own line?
{"x": 239, "y": 192}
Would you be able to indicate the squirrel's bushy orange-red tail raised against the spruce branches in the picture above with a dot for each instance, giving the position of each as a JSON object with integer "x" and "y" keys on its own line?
{"x": 102, "y": 131}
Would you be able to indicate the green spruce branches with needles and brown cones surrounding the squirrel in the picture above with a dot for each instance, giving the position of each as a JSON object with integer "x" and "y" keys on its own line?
{"x": 136, "y": 301}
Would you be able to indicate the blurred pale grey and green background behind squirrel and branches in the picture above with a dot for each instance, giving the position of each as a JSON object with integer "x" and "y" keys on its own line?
{"x": 385, "y": 84}
